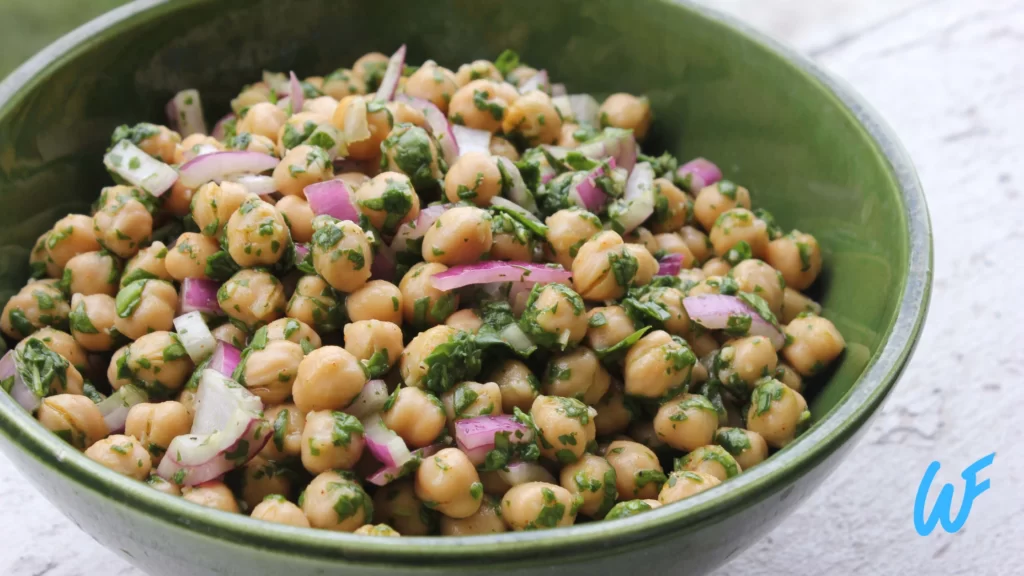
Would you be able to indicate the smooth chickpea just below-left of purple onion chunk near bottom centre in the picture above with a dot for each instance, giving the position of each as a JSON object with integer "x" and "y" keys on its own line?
{"x": 448, "y": 483}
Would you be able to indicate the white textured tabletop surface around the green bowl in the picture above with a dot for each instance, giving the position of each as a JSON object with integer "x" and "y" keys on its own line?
{"x": 950, "y": 77}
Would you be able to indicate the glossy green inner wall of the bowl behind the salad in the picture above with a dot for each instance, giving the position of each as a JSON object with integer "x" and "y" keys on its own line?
{"x": 771, "y": 125}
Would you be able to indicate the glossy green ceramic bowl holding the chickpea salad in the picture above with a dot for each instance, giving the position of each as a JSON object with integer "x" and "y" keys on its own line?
{"x": 807, "y": 147}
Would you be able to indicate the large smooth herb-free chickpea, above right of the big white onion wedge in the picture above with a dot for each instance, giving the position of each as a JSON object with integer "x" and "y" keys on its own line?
{"x": 329, "y": 379}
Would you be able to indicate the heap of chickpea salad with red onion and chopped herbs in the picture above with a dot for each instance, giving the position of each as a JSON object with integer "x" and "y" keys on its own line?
{"x": 409, "y": 301}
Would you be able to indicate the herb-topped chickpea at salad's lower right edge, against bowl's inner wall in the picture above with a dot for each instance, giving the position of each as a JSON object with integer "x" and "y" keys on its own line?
{"x": 777, "y": 413}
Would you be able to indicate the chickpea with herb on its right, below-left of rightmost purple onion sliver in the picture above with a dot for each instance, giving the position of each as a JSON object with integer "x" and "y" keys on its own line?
{"x": 658, "y": 364}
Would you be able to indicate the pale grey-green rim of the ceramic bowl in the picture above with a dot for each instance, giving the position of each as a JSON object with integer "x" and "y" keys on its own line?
{"x": 825, "y": 437}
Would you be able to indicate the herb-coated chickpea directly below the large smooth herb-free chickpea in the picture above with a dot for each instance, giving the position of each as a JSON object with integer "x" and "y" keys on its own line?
{"x": 331, "y": 440}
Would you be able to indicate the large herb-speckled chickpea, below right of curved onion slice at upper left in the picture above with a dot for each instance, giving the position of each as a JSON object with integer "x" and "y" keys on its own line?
{"x": 258, "y": 234}
